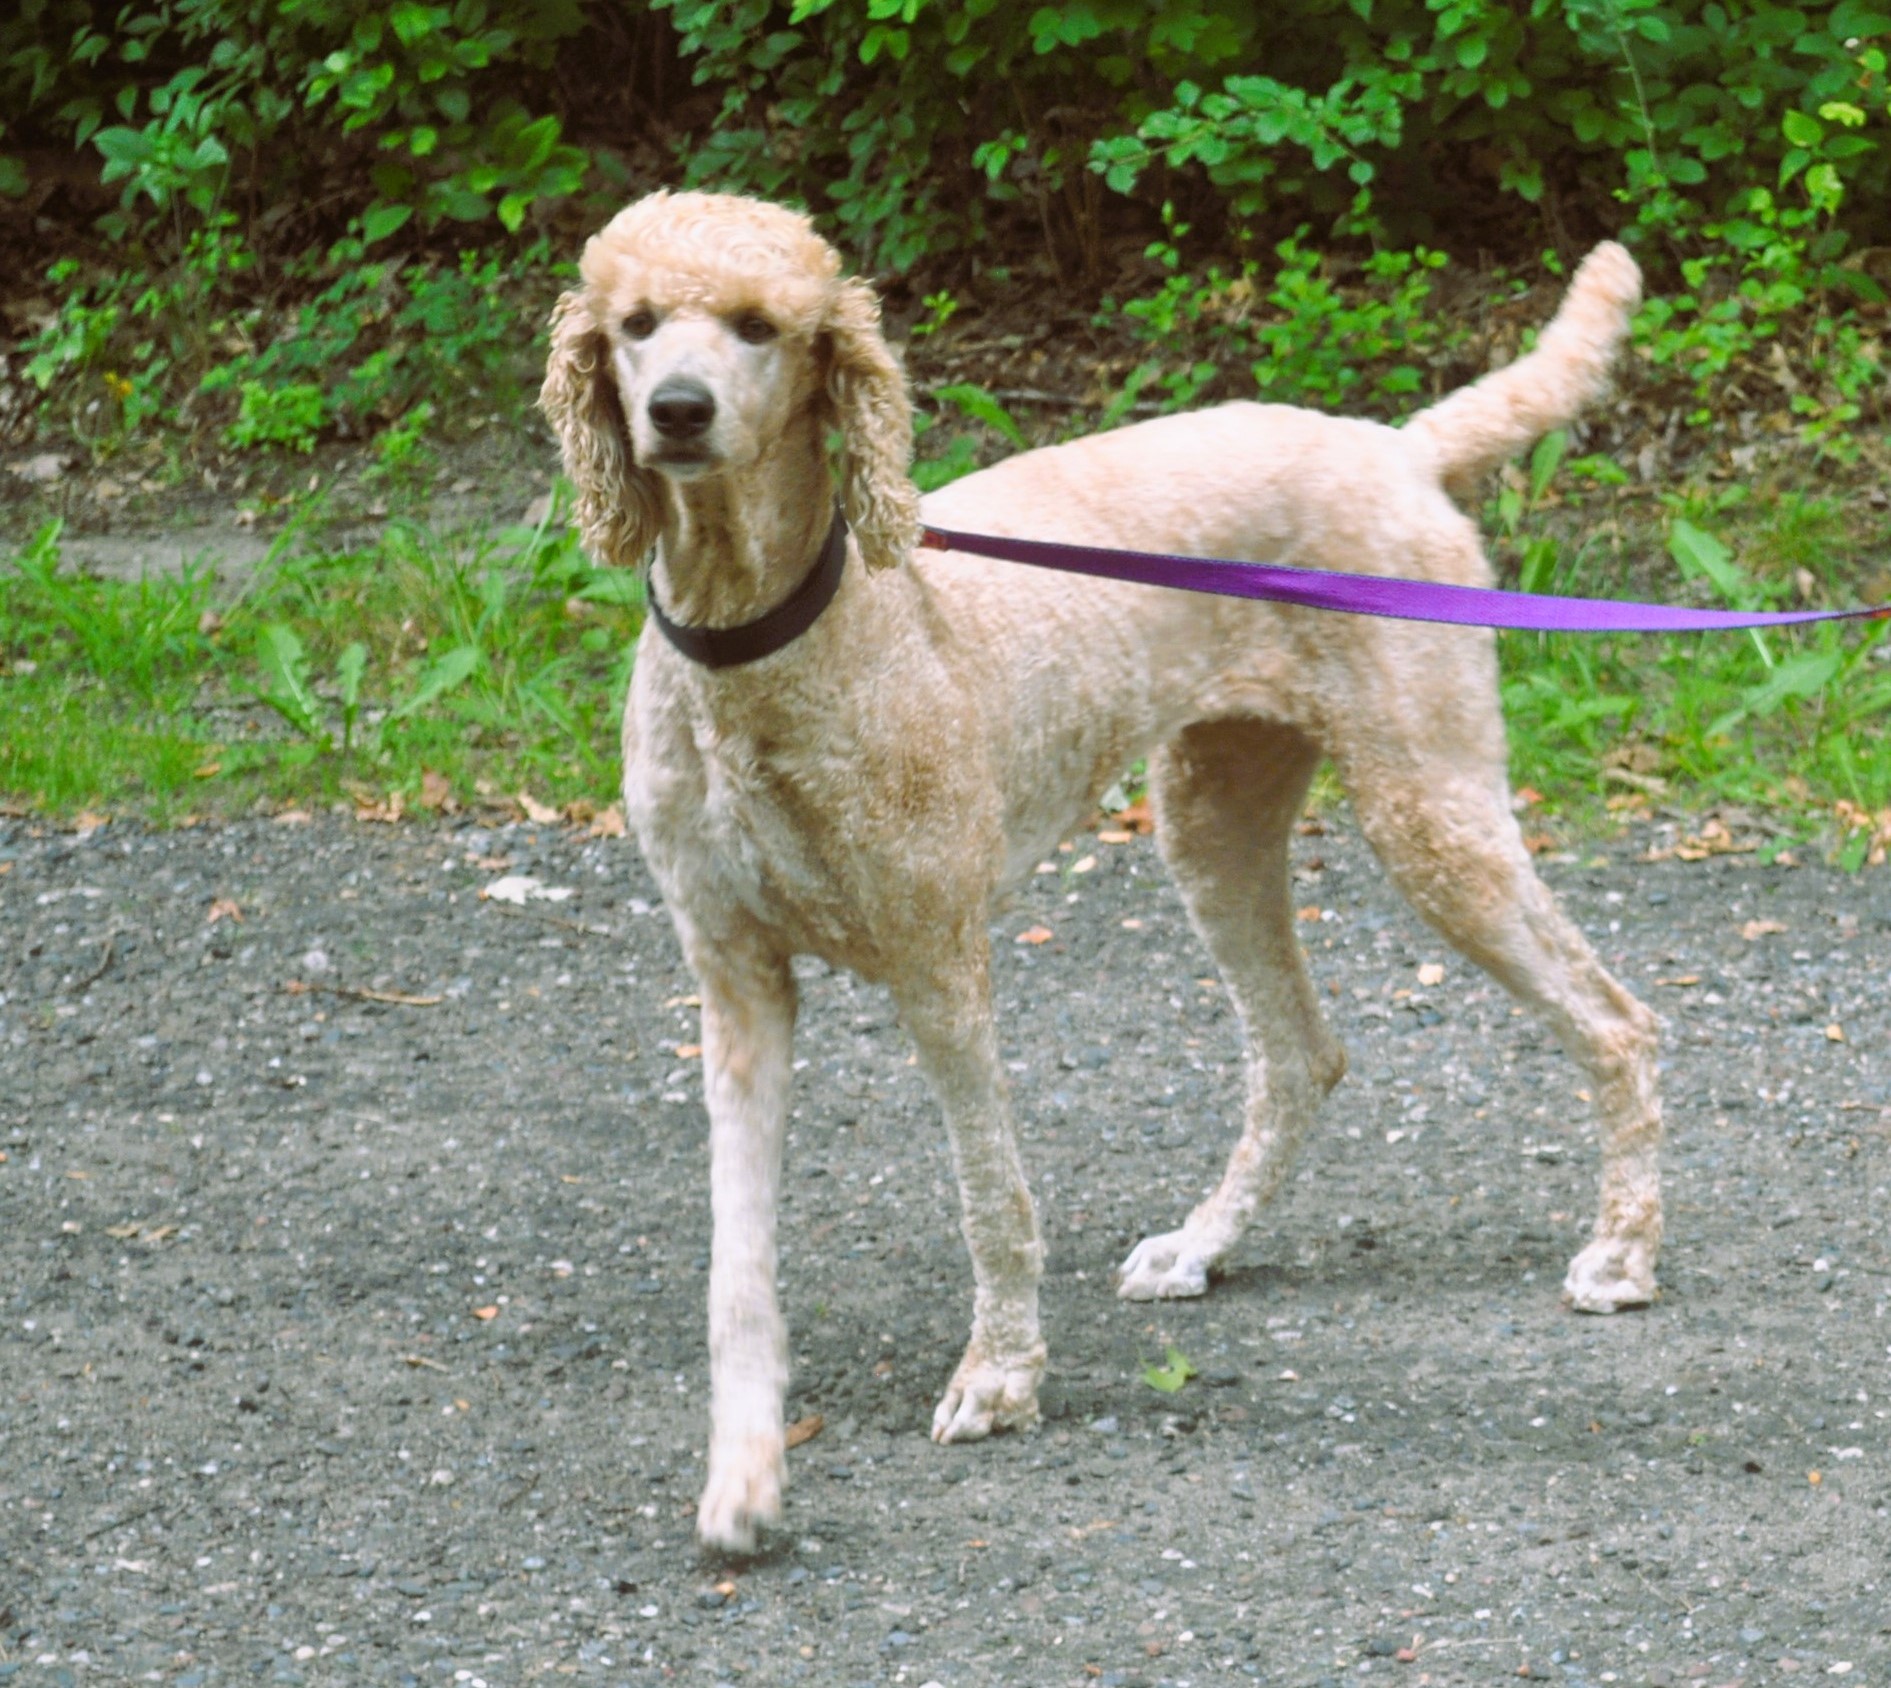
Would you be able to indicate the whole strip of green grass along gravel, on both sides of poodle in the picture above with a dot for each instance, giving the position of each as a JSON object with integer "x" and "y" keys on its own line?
{"x": 498, "y": 664}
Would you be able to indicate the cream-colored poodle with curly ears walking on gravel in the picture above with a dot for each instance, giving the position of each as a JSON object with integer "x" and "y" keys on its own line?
{"x": 867, "y": 791}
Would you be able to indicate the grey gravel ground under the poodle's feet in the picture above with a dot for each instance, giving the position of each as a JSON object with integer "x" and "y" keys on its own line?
{"x": 362, "y": 1341}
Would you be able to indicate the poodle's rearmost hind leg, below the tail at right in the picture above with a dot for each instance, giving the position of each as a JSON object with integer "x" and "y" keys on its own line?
{"x": 1451, "y": 844}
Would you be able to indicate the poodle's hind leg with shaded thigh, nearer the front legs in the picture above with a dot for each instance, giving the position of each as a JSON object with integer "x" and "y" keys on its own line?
{"x": 1226, "y": 797}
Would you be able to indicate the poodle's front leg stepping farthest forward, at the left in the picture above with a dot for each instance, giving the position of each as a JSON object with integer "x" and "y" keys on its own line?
{"x": 748, "y": 1046}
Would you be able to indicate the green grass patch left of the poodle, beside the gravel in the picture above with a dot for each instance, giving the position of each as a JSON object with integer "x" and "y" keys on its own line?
{"x": 493, "y": 663}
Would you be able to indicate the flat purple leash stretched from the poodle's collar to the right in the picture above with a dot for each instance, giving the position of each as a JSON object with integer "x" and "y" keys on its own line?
{"x": 1379, "y": 596}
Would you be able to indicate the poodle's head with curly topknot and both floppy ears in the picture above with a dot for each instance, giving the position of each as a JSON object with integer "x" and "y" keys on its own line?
{"x": 703, "y": 328}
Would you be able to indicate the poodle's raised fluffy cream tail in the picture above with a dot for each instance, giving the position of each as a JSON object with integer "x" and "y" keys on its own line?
{"x": 1485, "y": 424}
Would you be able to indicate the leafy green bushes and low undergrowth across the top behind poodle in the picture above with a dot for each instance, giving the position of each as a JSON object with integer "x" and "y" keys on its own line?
{"x": 345, "y": 150}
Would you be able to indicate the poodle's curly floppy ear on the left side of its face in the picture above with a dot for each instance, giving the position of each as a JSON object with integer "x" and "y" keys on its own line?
{"x": 619, "y": 511}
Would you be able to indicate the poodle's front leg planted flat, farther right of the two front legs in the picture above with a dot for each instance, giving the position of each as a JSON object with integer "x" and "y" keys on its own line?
{"x": 998, "y": 1381}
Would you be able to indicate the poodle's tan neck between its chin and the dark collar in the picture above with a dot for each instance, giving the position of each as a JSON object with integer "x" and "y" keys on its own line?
{"x": 735, "y": 545}
